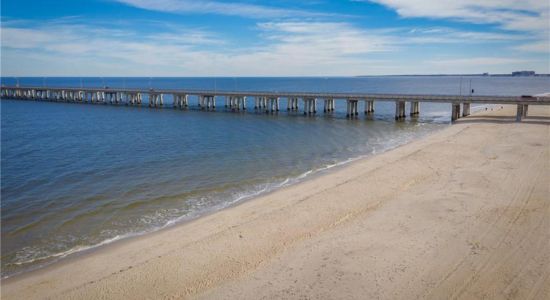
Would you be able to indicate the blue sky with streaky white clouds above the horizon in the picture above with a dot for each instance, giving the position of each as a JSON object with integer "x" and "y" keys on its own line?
{"x": 273, "y": 38}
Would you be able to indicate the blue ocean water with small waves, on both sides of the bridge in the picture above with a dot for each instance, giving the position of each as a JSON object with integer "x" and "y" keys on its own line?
{"x": 75, "y": 177}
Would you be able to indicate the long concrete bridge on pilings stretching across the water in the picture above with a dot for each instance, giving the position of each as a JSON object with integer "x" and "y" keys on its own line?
{"x": 268, "y": 102}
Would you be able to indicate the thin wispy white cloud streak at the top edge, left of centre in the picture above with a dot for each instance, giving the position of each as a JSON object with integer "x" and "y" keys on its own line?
{"x": 218, "y": 7}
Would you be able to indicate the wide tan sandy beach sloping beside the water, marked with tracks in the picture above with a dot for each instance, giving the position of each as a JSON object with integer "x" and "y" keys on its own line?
{"x": 464, "y": 213}
